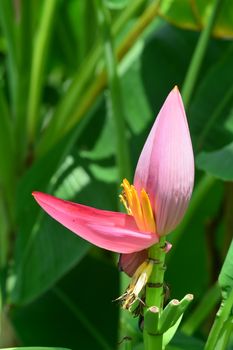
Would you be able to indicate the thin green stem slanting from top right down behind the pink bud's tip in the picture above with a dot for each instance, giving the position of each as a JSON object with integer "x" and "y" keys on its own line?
{"x": 199, "y": 53}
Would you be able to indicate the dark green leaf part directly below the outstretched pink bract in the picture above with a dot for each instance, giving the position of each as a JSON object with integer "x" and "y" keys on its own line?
{"x": 52, "y": 250}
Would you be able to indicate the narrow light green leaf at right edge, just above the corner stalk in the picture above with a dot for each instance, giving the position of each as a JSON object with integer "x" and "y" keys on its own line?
{"x": 226, "y": 275}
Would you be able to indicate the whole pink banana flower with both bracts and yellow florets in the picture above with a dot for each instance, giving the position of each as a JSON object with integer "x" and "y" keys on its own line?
{"x": 155, "y": 203}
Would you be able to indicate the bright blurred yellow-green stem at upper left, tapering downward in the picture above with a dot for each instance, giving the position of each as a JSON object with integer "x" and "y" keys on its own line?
{"x": 38, "y": 64}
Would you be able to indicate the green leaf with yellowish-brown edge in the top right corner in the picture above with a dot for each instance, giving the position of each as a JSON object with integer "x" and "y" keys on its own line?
{"x": 194, "y": 15}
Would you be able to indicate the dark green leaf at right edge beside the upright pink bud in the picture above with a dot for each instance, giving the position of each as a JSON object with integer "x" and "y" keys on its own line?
{"x": 218, "y": 163}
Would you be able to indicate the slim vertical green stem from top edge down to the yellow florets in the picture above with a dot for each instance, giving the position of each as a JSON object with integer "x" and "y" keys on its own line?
{"x": 123, "y": 158}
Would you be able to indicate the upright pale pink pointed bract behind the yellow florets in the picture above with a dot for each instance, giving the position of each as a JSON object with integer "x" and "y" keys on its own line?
{"x": 166, "y": 166}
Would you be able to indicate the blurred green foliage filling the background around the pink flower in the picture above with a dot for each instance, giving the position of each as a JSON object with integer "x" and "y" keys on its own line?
{"x": 57, "y": 135}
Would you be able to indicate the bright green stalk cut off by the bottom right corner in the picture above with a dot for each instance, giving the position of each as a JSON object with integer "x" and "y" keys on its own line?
{"x": 220, "y": 319}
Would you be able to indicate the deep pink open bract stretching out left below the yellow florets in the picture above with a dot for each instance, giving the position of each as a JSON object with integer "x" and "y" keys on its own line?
{"x": 109, "y": 230}
